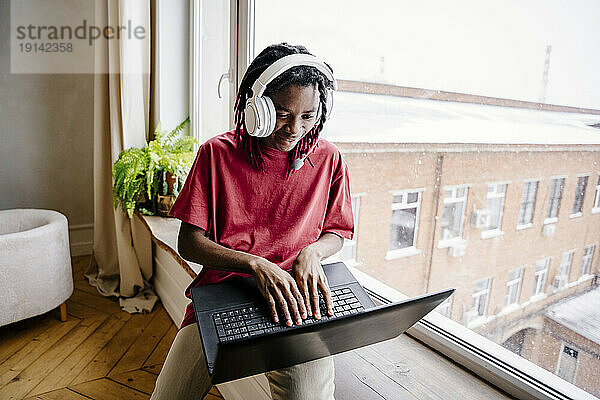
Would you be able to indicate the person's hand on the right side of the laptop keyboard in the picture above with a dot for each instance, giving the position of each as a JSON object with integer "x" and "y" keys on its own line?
{"x": 311, "y": 278}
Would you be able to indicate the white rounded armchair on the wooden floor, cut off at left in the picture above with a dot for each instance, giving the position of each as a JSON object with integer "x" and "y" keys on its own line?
{"x": 35, "y": 263}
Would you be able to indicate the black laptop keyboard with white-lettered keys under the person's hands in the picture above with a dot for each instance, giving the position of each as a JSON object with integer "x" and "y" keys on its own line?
{"x": 247, "y": 322}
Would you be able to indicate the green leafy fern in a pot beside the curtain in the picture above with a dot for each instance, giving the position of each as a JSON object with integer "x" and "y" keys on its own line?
{"x": 149, "y": 179}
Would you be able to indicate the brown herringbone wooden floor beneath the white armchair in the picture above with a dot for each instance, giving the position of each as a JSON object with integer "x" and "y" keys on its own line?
{"x": 100, "y": 352}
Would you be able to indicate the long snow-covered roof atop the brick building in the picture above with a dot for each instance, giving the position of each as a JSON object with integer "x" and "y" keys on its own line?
{"x": 372, "y": 118}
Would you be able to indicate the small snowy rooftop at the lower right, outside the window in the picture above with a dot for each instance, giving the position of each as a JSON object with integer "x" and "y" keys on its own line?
{"x": 581, "y": 314}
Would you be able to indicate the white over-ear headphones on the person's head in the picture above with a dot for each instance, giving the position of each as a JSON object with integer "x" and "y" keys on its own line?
{"x": 259, "y": 114}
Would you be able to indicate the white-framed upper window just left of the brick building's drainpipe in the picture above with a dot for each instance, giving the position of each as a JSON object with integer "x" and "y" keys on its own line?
{"x": 405, "y": 218}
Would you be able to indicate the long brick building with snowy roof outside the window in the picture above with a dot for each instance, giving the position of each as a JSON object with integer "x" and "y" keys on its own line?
{"x": 501, "y": 203}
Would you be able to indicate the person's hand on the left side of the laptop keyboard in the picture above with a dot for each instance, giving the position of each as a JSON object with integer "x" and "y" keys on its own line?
{"x": 279, "y": 288}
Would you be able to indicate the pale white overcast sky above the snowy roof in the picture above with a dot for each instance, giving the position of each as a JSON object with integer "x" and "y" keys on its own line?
{"x": 490, "y": 48}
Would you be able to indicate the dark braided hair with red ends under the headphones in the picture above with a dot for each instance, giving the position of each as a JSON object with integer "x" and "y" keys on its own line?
{"x": 301, "y": 75}
